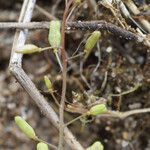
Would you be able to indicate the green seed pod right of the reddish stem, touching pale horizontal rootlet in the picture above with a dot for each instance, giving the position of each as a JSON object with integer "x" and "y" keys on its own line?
{"x": 97, "y": 109}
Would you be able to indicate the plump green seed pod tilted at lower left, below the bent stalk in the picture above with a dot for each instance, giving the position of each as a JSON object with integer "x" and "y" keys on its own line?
{"x": 25, "y": 127}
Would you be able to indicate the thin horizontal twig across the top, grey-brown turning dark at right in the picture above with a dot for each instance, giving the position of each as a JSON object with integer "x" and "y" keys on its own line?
{"x": 88, "y": 25}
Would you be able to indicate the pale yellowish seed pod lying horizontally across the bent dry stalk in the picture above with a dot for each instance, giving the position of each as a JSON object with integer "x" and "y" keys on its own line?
{"x": 29, "y": 49}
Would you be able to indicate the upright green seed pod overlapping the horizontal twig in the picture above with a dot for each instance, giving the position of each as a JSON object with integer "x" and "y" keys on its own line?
{"x": 54, "y": 36}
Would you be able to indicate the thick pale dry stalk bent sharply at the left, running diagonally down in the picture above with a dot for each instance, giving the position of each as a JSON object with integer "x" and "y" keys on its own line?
{"x": 16, "y": 69}
